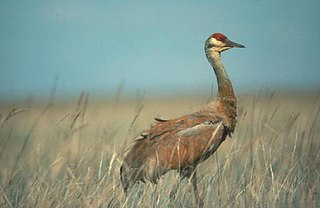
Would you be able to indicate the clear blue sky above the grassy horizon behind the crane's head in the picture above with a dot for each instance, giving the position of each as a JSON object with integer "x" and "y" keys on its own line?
{"x": 155, "y": 46}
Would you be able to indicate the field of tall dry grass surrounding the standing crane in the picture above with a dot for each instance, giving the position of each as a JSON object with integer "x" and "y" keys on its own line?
{"x": 68, "y": 154}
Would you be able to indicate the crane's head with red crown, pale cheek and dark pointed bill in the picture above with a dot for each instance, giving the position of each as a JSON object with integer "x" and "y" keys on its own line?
{"x": 219, "y": 42}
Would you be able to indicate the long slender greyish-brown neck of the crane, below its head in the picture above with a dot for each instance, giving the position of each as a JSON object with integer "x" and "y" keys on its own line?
{"x": 225, "y": 89}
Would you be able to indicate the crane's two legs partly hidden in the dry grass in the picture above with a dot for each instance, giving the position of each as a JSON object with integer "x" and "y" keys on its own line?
{"x": 191, "y": 174}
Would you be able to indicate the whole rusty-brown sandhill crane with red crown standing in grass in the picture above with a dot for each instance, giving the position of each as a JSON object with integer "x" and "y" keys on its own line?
{"x": 182, "y": 143}
